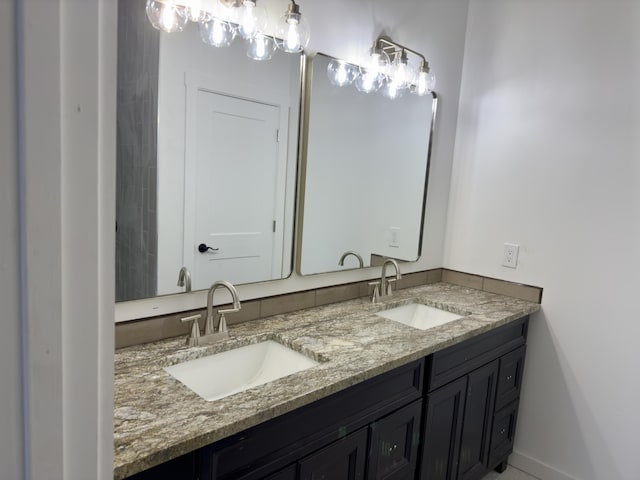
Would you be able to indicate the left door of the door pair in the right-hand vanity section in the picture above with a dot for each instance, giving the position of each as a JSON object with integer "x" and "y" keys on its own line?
{"x": 442, "y": 429}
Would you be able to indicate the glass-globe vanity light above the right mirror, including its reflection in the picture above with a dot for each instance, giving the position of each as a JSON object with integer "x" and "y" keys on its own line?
{"x": 388, "y": 66}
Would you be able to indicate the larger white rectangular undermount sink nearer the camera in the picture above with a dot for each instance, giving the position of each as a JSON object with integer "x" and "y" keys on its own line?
{"x": 233, "y": 371}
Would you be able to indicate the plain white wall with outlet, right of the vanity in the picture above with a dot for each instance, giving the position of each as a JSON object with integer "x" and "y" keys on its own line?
{"x": 547, "y": 157}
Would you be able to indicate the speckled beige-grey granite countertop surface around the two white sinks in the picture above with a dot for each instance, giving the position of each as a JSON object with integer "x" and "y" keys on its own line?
{"x": 157, "y": 418}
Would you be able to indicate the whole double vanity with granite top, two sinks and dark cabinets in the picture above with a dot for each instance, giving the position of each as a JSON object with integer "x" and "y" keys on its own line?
{"x": 356, "y": 389}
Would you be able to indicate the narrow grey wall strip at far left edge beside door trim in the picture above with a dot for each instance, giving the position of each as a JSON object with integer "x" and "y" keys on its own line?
{"x": 11, "y": 437}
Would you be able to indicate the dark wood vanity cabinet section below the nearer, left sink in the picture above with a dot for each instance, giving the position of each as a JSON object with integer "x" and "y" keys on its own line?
{"x": 368, "y": 431}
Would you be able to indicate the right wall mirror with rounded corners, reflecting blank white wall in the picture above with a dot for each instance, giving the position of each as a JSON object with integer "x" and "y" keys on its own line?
{"x": 364, "y": 175}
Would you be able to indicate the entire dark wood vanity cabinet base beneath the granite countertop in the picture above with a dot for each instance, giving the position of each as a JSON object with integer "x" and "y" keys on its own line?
{"x": 450, "y": 416}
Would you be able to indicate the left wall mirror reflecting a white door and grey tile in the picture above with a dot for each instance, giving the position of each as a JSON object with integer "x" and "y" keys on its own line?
{"x": 207, "y": 156}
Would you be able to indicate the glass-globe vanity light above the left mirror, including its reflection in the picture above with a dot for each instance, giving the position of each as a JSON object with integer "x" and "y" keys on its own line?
{"x": 220, "y": 20}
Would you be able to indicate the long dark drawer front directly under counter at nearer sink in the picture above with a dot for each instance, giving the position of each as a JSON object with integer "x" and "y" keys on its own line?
{"x": 263, "y": 449}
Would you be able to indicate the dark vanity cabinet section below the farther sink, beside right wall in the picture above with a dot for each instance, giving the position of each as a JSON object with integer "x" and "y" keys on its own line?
{"x": 471, "y": 404}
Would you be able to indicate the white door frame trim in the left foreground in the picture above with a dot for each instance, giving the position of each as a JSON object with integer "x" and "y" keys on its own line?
{"x": 67, "y": 120}
